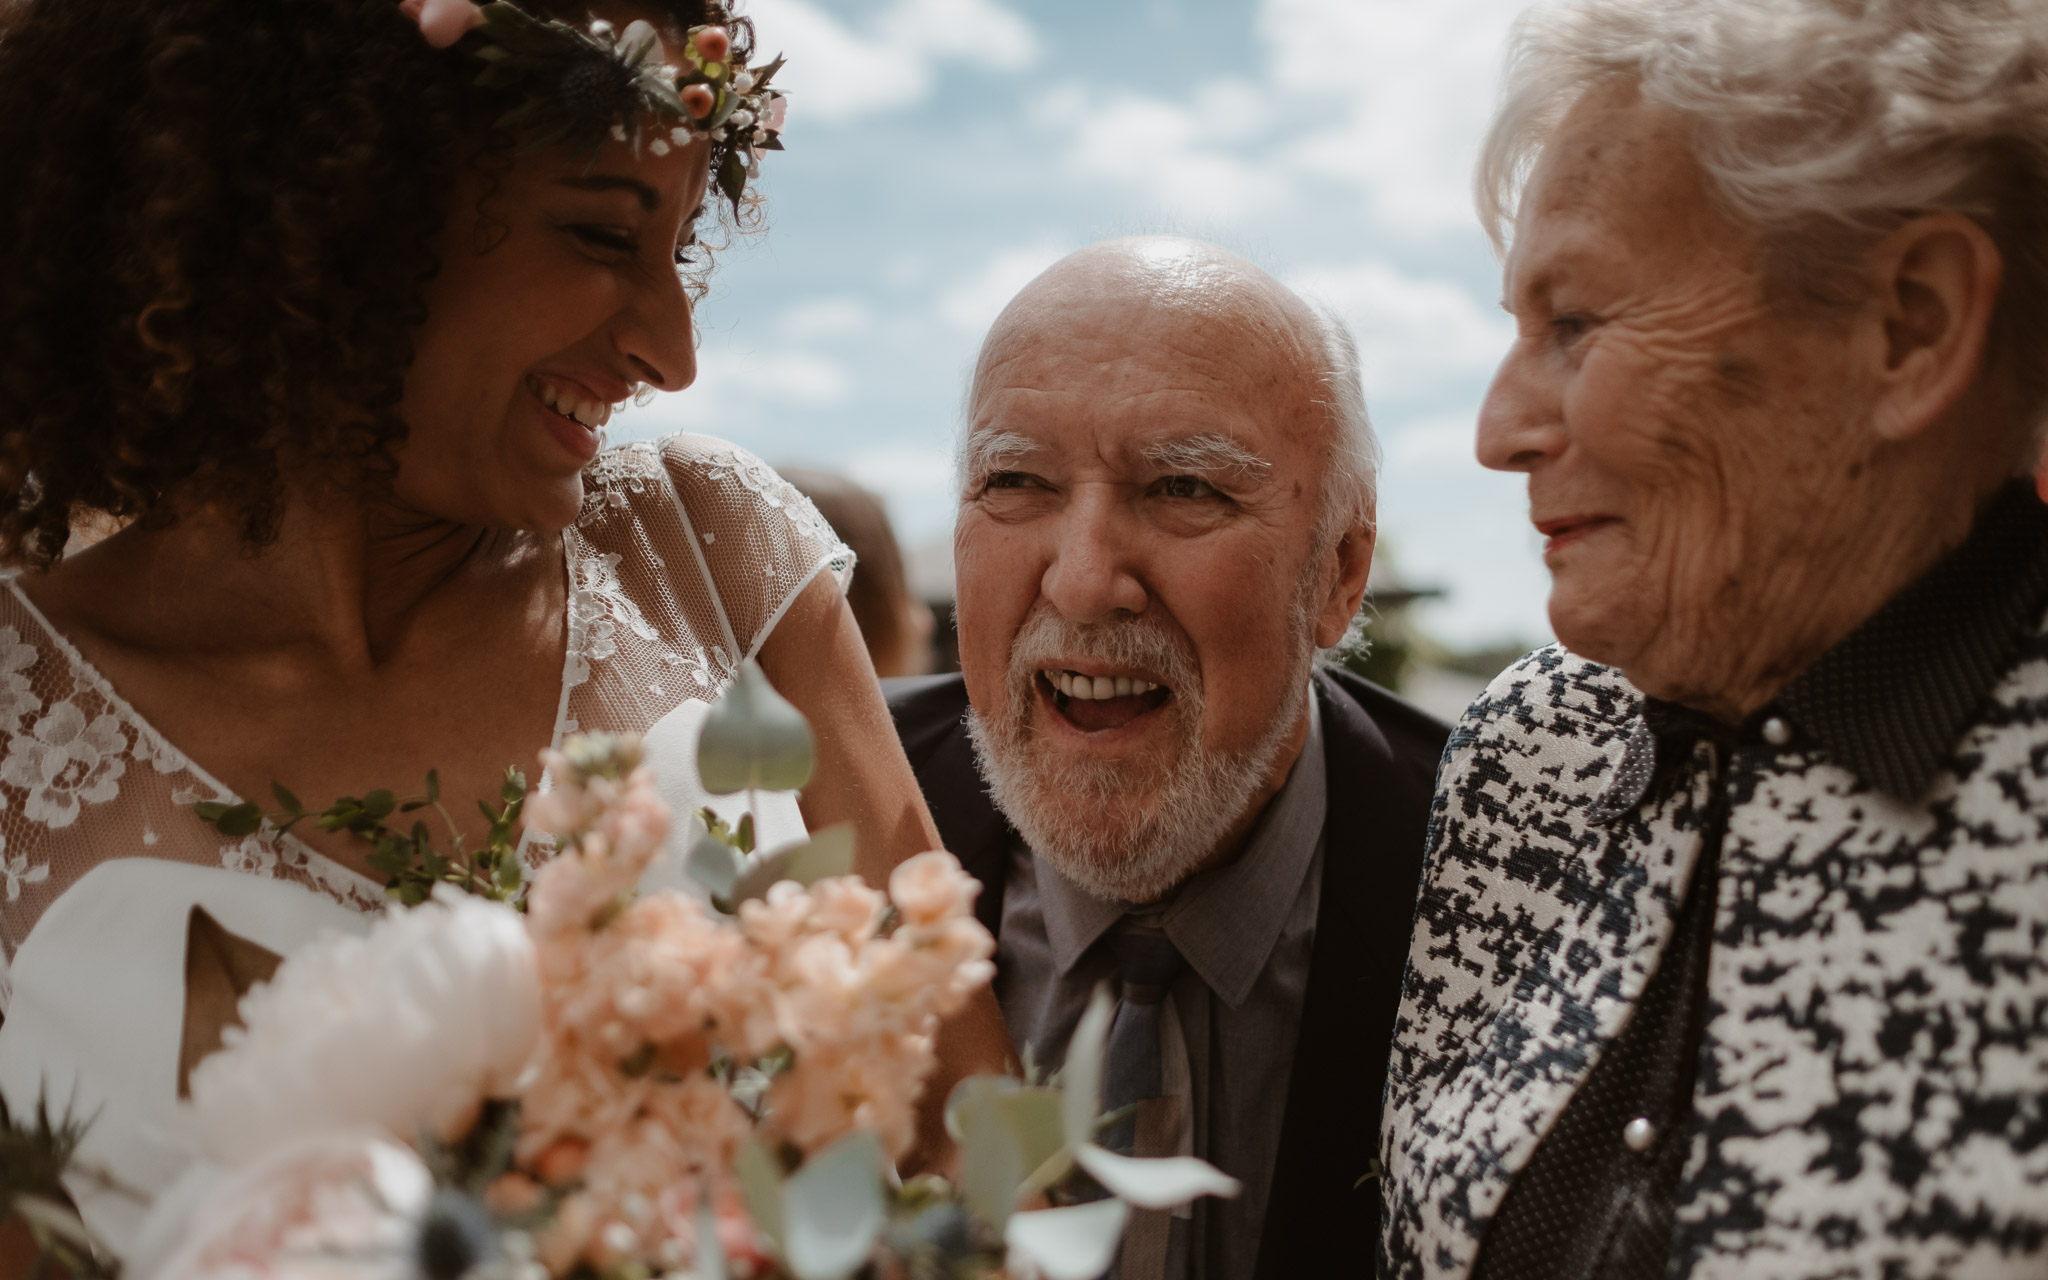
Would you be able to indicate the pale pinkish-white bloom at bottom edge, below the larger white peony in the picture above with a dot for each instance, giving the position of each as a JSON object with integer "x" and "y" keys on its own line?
{"x": 341, "y": 1205}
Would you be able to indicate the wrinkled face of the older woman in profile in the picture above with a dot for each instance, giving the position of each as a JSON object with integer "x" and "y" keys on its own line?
{"x": 1689, "y": 441}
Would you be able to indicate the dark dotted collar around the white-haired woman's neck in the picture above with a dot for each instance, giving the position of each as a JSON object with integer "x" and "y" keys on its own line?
{"x": 1895, "y": 695}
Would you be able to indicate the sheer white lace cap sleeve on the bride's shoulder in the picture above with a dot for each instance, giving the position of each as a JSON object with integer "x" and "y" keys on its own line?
{"x": 763, "y": 542}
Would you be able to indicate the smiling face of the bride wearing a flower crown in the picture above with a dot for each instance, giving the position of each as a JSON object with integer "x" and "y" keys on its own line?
{"x": 558, "y": 294}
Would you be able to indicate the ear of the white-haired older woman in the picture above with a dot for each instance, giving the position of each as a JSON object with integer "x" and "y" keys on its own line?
{"x": 1936, "y": 290}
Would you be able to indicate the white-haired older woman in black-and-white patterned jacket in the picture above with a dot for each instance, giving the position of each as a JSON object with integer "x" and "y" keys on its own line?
{"x": 1734, "y": 943}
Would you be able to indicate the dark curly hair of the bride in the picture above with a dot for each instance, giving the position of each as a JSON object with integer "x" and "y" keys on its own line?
{"x": 218, "y": 228}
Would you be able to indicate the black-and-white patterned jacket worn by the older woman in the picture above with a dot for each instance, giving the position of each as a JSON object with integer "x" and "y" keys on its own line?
{"x": 1873, "y": 1091}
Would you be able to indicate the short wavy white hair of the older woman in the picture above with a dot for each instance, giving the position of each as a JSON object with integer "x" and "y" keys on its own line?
{"x": 1826, "y": 124}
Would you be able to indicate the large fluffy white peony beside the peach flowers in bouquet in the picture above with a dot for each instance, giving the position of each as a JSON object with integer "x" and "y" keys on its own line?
{"x": 407, "y": 1027}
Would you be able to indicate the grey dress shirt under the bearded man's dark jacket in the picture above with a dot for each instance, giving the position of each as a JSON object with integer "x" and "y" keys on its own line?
{"x": 1246, "y": 931}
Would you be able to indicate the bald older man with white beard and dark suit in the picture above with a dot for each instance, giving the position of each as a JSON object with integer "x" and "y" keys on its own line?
{"x": 1166, "y": 509}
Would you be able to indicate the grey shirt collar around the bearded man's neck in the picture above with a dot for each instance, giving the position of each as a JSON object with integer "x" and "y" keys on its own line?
{"x": 1228, "y": 919}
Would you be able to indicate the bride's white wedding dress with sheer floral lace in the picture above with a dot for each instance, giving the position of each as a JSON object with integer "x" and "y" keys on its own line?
{"x": 685, "y": 558}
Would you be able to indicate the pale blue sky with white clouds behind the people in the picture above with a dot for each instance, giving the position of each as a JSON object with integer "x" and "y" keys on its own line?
{"x": 943, "y": 153}
